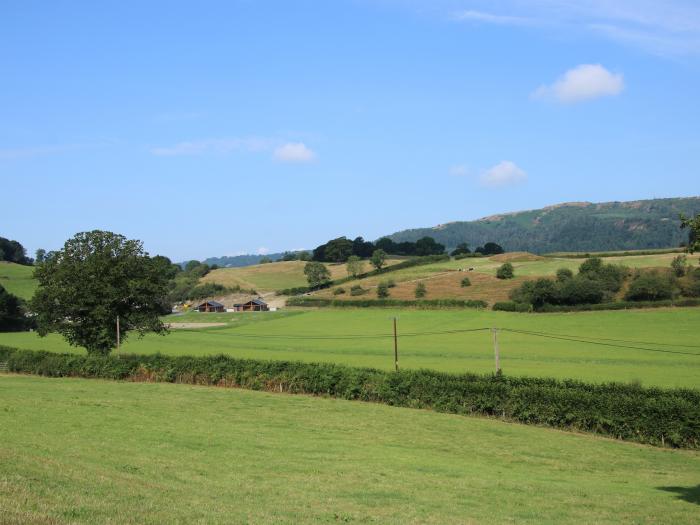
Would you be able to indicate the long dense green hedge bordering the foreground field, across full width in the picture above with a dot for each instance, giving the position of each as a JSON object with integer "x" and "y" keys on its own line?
{"x": 625, "y": 411}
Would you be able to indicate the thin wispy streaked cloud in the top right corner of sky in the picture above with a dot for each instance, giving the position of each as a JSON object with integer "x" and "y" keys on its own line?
{"x": 668, "y": 28}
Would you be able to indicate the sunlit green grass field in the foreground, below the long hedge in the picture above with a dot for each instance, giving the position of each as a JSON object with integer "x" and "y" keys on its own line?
{"x": 89, "y": 451}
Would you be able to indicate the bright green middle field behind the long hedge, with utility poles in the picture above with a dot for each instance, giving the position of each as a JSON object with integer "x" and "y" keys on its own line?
{"x": 665, "y": 349}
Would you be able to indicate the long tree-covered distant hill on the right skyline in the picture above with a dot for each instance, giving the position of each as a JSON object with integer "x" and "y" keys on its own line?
{"x": 572, "y": 226}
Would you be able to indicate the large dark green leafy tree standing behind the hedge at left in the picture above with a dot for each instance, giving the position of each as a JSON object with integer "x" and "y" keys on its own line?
{"x": 96, "y": 278}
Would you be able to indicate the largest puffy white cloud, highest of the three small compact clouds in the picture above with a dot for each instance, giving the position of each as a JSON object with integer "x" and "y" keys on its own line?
{"x": 584, "y": 82}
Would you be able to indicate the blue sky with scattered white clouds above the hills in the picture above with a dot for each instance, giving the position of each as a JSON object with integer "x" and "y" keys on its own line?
{"x": 253, "y": 126}
